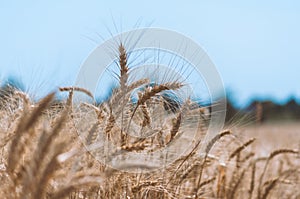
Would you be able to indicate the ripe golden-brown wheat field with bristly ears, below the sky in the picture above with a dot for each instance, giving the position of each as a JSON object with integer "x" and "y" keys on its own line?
{"x": 43, "y": 156}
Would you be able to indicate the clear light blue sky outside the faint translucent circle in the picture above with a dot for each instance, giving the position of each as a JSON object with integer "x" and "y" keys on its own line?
{"x": 254, "y": 44}
